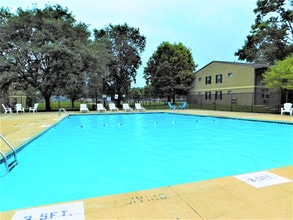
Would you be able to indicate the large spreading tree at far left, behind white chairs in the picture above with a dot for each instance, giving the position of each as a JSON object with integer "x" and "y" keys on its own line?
{"x": 43, "y": 49}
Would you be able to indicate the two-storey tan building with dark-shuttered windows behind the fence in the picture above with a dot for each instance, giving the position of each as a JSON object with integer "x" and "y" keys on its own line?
{"x": 231, "y": 82}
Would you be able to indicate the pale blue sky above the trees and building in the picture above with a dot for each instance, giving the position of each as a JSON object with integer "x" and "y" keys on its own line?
{"x": 211, "y": 29}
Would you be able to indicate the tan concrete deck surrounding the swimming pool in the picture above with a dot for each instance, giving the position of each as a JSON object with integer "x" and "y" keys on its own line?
{"x": 221, "y": 198}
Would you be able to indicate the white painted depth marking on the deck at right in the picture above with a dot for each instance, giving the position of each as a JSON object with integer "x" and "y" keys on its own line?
{"x": 262, "y": 179}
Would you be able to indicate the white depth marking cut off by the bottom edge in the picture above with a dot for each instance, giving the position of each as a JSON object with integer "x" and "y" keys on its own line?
{"x": 67, "y": 211}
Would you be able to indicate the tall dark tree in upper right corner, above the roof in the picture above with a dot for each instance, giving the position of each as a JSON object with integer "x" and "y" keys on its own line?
{"x": 271, "y": 36}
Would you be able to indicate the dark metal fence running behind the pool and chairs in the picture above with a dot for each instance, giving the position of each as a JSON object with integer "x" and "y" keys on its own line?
{"x": 262, "y": 101}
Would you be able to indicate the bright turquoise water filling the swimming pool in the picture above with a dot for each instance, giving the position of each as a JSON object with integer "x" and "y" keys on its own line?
{"x": 97, "y": 155}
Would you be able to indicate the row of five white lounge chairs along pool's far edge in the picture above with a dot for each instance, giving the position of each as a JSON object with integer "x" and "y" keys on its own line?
{"x": 112, "y": 107}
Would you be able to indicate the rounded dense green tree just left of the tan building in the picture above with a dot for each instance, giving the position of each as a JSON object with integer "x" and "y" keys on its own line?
{"x": 170, "y": 70}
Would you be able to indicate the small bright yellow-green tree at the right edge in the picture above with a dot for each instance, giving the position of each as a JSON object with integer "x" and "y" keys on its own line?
{"x": 280, "y": 76}
